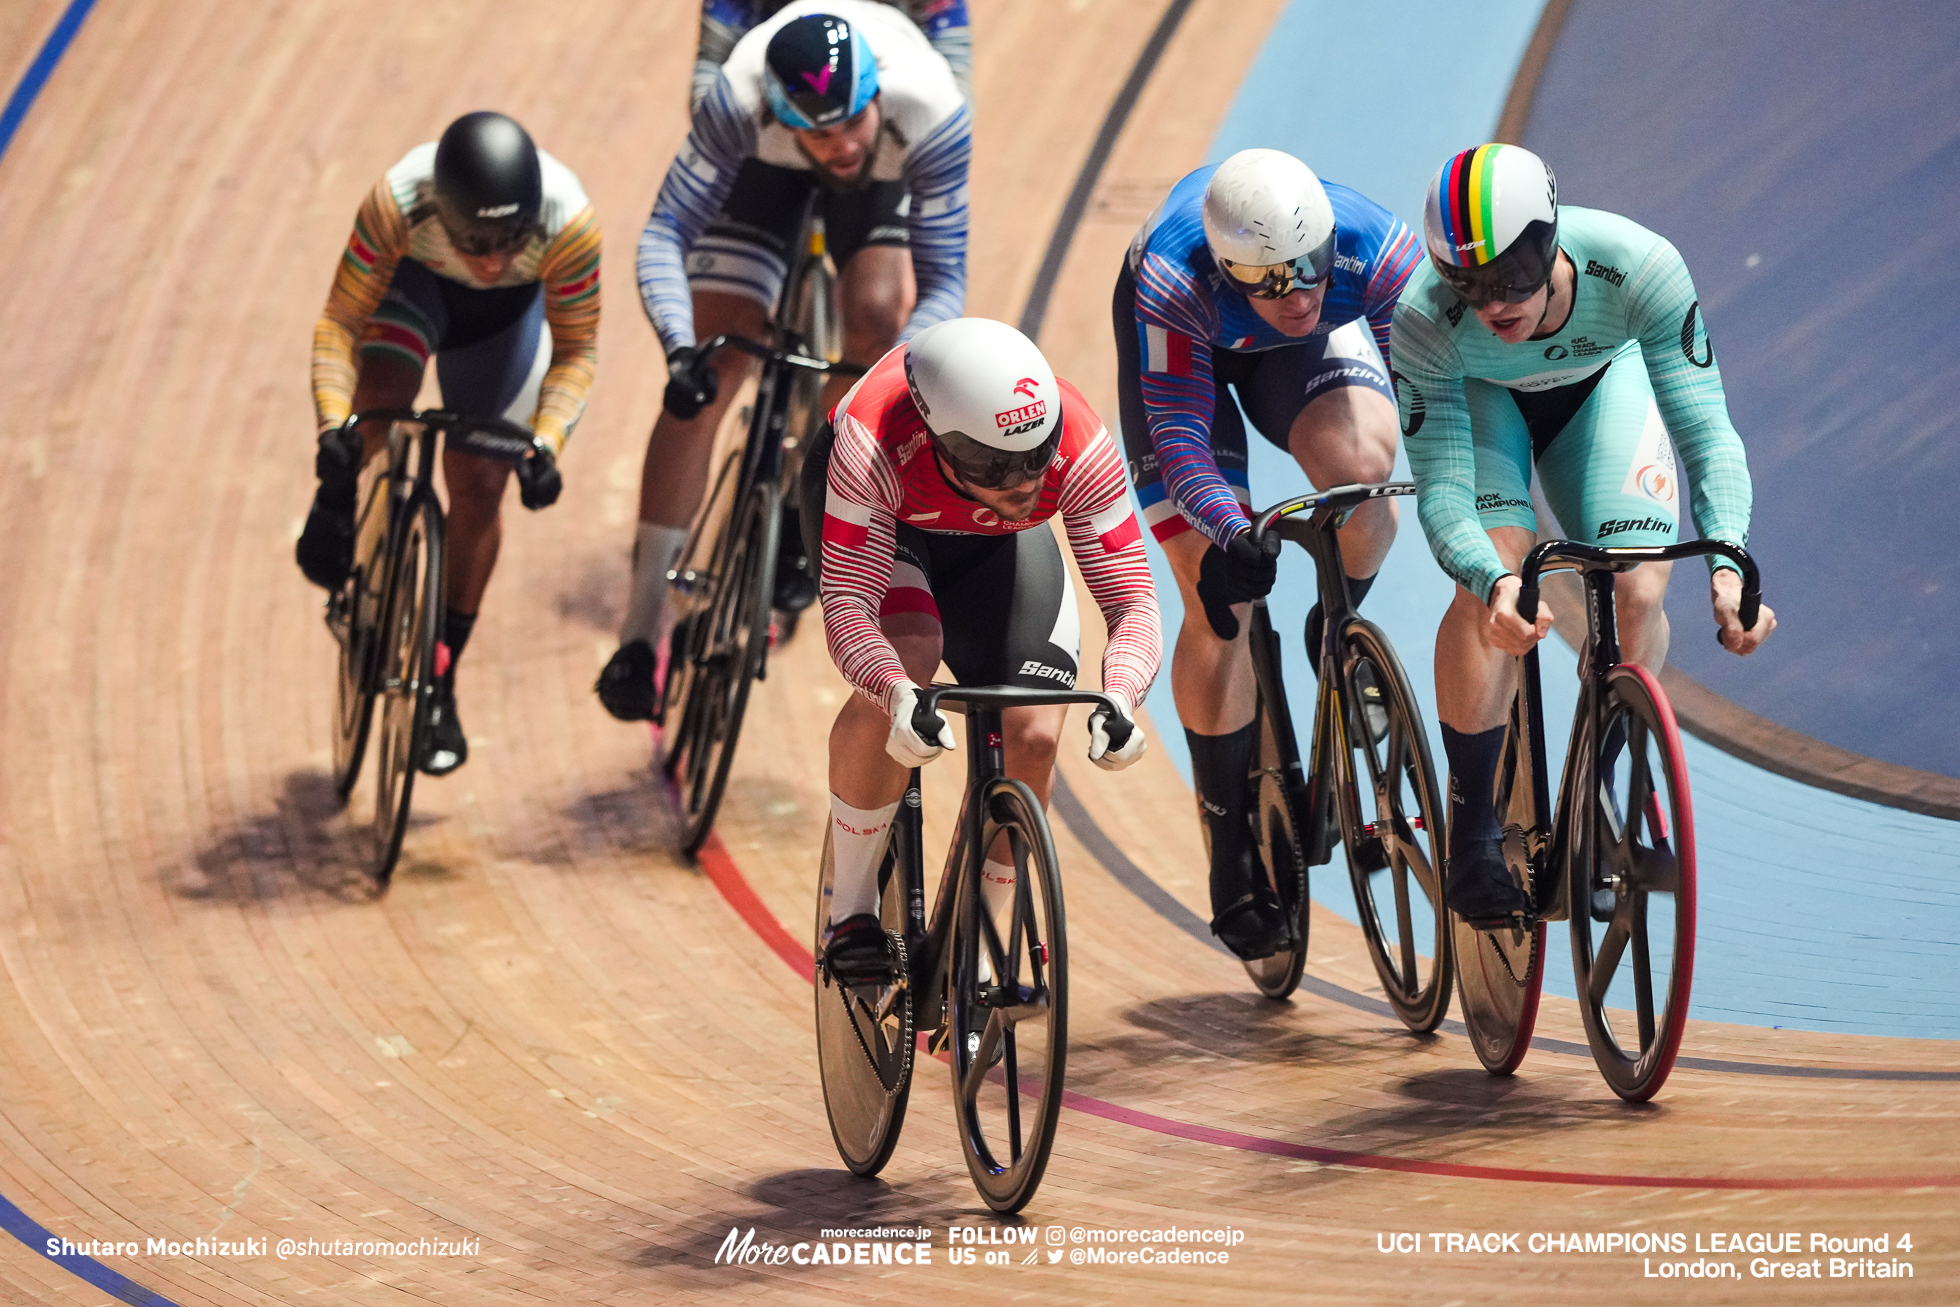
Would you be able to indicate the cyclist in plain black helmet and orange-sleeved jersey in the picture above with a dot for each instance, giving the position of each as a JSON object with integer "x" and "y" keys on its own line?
{"x": 483, "y": 252}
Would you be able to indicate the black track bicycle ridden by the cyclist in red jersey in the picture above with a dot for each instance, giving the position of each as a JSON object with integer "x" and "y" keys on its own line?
{"x": 995, "y": 994}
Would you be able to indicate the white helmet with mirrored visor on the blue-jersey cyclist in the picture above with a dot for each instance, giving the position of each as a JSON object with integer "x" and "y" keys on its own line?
{"x": 1269, "y": 224}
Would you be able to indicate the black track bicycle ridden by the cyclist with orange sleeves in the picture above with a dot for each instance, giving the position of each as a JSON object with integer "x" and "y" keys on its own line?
{"x": 387, "y": 616}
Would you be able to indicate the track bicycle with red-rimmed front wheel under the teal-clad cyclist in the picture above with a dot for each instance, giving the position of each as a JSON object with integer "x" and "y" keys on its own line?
{"x": 1618, "y": 855}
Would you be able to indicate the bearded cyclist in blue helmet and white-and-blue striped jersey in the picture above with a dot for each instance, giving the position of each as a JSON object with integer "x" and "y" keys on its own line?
{"x": 840, "y": 101}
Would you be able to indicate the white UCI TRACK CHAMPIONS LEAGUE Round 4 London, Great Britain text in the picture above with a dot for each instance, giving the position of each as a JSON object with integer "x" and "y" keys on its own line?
{"x": 1677, "y": 1255}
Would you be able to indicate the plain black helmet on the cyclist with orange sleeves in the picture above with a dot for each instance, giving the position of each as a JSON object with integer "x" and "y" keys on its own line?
{"x": 489, "y": 187}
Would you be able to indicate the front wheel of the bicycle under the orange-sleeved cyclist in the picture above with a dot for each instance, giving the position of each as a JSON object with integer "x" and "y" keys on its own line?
{"x": 413, "y": 608}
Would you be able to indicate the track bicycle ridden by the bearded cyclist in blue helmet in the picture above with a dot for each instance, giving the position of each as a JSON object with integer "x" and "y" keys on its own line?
{"x": 724, "y": 583}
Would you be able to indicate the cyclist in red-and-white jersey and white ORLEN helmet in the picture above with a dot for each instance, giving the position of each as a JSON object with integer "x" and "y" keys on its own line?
{"x": 938, "y": 477}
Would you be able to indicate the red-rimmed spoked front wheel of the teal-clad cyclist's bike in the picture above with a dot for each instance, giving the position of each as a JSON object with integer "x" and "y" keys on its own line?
{"x": 1636, "y": 967}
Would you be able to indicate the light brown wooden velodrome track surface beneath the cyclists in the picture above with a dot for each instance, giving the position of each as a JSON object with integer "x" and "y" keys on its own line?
{"x": 554, "y": 1038}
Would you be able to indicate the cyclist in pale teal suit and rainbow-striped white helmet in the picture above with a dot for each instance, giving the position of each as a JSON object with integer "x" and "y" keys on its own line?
{"x": 1573, "y": 342}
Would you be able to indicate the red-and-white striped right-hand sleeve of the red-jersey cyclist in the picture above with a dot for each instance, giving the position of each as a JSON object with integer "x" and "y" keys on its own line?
{"x": 1108, "y": 548}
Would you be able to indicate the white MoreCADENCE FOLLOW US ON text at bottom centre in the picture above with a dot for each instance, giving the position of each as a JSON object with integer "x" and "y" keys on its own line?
{"x": 989, "y": 1245}
